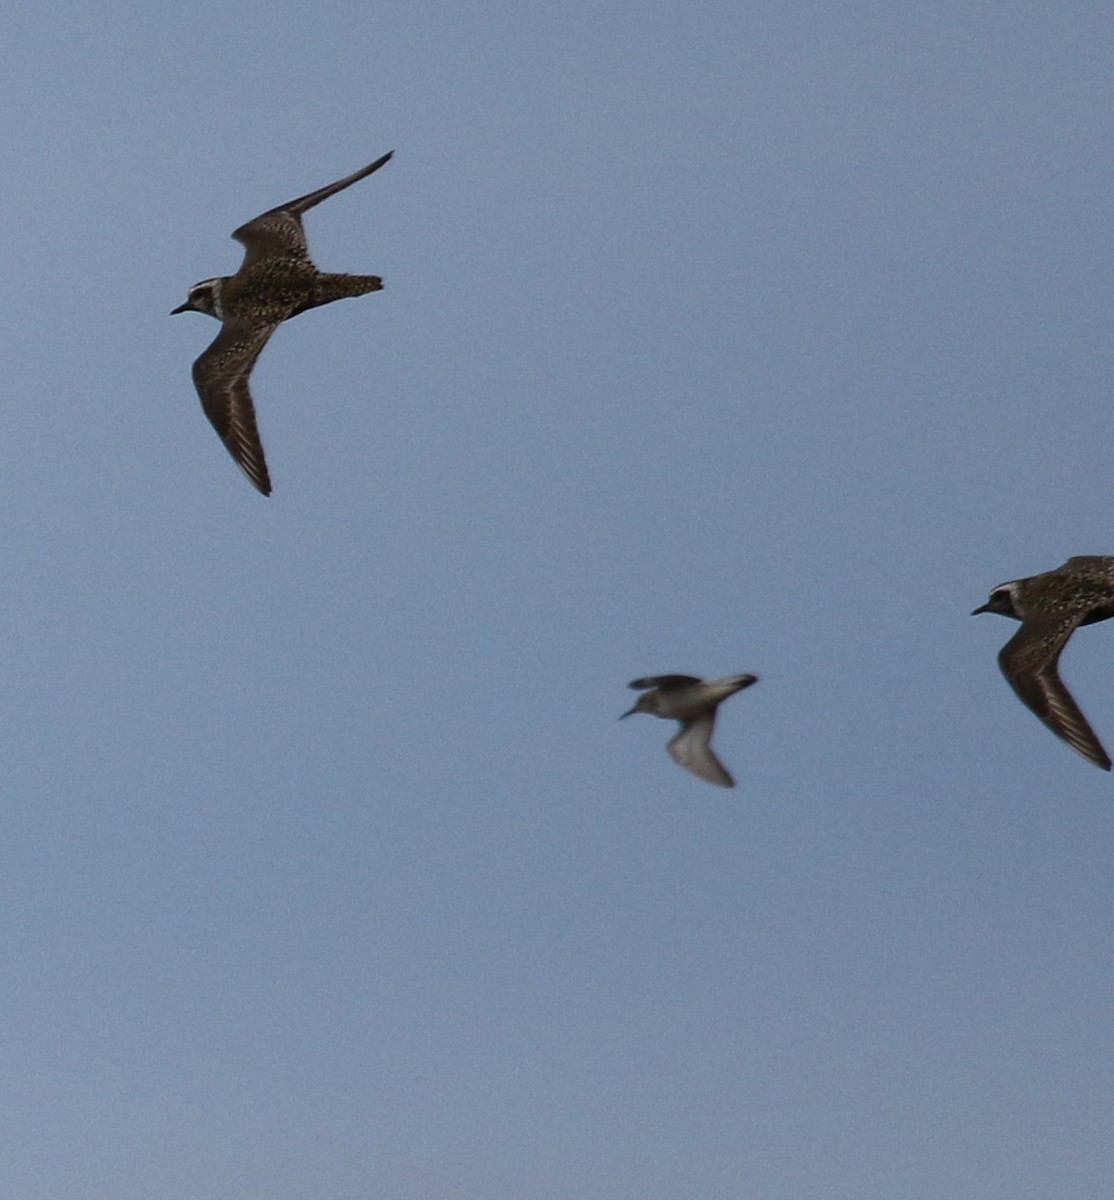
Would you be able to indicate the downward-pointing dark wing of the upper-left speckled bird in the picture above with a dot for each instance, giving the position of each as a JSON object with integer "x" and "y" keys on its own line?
{"x": 221, "y": 376}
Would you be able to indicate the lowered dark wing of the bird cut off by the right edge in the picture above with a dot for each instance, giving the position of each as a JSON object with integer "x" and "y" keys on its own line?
{"x": 1031, "y": 664}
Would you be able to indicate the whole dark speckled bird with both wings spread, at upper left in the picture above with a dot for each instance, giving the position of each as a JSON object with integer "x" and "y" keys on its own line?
{"x": 277, "y": 281}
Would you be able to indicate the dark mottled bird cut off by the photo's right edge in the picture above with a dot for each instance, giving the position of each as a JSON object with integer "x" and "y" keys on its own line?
{"x": 1051, "y": 608}
